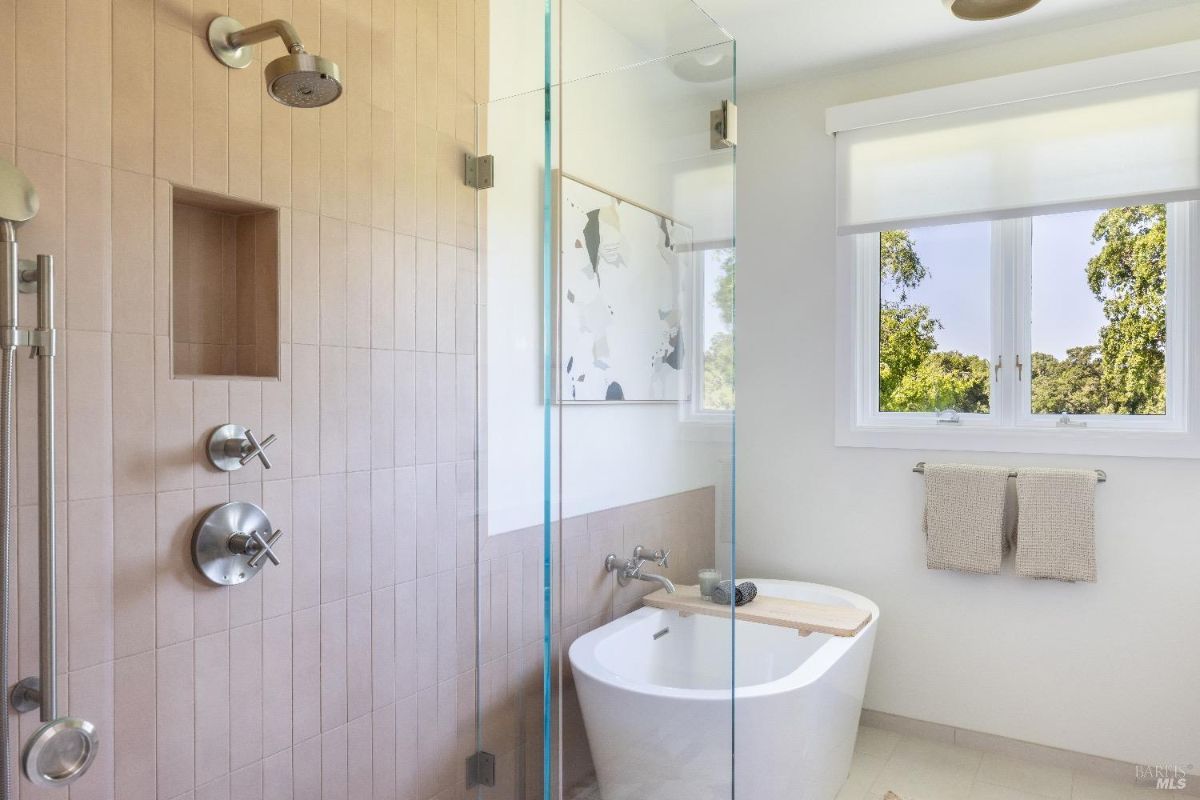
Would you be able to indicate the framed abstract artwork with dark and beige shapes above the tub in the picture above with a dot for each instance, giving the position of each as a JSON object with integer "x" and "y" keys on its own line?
{"x": 622, "y": 300}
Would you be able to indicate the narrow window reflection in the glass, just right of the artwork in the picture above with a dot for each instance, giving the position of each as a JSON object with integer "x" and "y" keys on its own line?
{"x": 713, "y": 394}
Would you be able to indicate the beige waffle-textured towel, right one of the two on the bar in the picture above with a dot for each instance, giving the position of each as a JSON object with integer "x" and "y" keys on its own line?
{"x": 1057, "y": 532}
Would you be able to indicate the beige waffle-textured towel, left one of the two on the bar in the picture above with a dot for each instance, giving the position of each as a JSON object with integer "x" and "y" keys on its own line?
{"x": 965, "y": 518}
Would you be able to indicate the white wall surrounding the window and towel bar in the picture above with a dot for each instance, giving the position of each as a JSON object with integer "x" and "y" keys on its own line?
{"x": 1111, "y": 670}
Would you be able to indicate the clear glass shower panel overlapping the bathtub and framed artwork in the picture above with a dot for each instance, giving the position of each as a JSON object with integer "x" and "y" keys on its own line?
{"x": 643, "y": 308}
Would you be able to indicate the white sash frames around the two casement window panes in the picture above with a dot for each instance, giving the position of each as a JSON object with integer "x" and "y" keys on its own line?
{"x": 1011, "y": 399}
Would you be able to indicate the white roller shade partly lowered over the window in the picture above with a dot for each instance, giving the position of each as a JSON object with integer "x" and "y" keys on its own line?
{"x": 1114, "y": 146}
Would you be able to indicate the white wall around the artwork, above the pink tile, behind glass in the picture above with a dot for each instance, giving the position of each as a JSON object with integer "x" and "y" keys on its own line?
{"x": 641, "y": 134}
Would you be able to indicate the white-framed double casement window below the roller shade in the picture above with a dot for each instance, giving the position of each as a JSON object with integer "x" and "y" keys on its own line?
{"x": 1063, "y": 333}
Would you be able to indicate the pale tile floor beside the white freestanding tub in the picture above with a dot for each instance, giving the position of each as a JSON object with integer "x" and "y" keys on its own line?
{"x": 921, "y": 769}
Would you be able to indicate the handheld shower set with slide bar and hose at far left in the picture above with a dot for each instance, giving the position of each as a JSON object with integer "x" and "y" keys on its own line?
{"x": 63, "y": 748}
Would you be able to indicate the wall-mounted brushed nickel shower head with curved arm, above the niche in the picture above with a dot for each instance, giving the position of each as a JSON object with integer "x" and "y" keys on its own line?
{"x": 299, "y": 80}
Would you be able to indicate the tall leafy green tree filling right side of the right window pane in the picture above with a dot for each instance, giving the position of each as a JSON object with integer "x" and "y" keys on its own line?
{"x": 1130, "y": 279}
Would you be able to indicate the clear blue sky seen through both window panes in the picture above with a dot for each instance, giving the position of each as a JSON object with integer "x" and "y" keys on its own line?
{"x": 957, "y": 291}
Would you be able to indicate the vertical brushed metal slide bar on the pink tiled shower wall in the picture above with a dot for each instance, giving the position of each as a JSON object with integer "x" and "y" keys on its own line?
{"x": 47, "y": 520}
